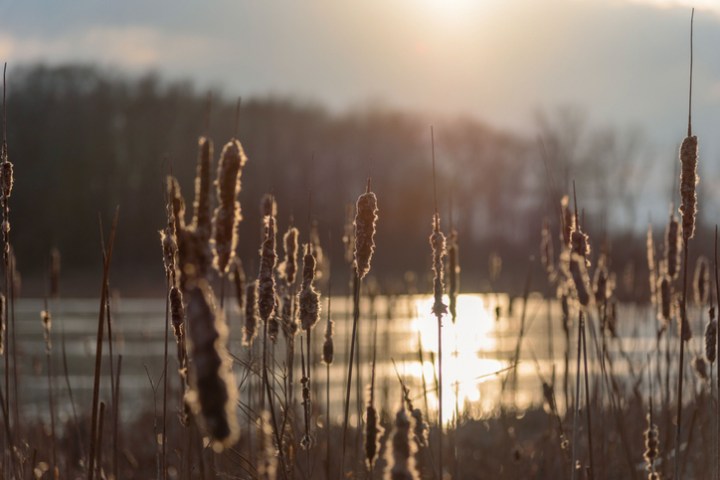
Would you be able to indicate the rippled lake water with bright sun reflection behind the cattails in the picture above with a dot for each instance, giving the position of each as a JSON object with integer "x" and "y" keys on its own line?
{"x": 478, "y": 349}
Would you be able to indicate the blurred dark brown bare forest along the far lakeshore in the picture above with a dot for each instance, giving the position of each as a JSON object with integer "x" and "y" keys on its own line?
{"x": 85, "y": 140}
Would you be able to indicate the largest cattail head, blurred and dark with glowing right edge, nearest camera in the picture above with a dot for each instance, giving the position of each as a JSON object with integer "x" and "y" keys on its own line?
{"x": 213, "y": 394}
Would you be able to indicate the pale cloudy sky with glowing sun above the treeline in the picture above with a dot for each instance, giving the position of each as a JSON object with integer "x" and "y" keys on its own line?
{"x": 622, "y": 62}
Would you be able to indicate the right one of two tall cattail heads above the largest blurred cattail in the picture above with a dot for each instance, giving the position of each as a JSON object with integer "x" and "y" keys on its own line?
{"x": 227, "y": 214}
